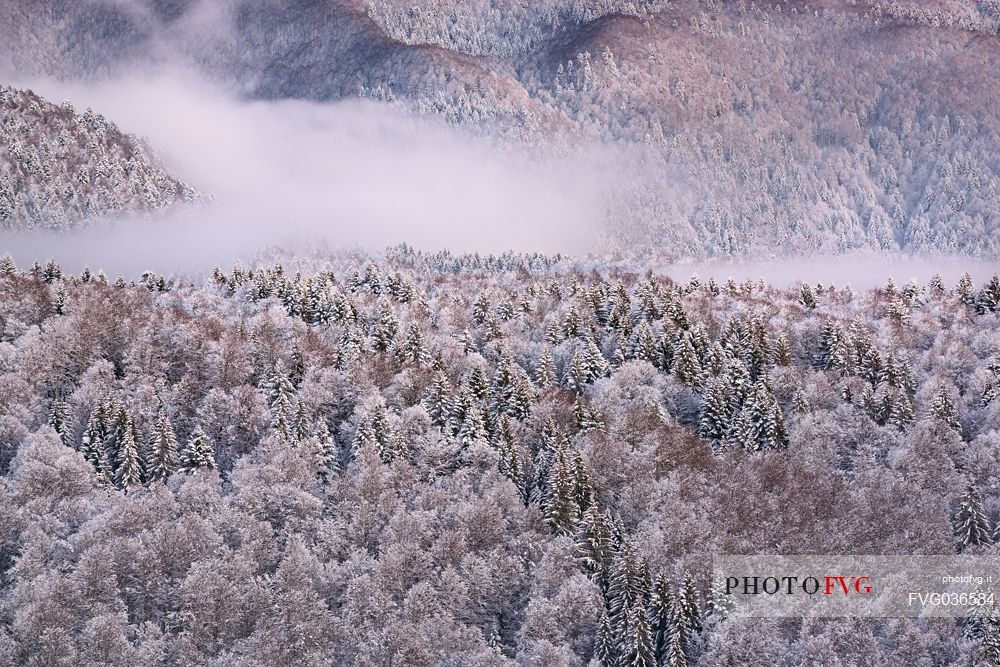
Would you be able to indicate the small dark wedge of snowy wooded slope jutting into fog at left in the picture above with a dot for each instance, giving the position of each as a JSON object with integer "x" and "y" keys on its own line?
{"x": 59, "y": 168}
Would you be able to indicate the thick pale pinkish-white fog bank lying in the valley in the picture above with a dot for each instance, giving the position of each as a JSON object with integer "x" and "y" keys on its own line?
{"x": 296, "y": 174}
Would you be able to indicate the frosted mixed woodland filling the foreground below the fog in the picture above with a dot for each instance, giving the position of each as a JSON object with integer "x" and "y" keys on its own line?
{"x": 428, "y": 459}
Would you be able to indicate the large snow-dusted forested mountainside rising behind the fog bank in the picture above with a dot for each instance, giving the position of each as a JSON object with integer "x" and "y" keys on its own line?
{"x": 740, "y": 127}
